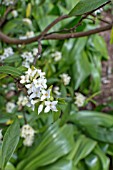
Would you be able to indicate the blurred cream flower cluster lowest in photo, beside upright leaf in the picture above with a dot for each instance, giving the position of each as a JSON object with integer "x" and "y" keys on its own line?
{"x": 27, "y": 132}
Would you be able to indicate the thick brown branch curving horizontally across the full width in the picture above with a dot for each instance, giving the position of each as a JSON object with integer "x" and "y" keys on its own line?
{"x": 54, "y": 36}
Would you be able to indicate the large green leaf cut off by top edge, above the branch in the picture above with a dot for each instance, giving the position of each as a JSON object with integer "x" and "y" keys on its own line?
{"x": 84, "y": 6}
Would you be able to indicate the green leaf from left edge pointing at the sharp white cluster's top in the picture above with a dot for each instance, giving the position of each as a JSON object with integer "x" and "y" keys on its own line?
{"x": 10, "y": 70}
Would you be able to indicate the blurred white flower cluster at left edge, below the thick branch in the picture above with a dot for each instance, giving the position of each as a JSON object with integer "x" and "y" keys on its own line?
{"x": 7, "y": 53}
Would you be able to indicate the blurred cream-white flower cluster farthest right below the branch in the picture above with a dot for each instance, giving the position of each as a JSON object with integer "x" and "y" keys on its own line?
{"x": 80, "y": 99}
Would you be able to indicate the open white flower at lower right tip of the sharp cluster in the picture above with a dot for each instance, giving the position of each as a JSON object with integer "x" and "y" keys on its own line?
{"x": 50, "y": 106}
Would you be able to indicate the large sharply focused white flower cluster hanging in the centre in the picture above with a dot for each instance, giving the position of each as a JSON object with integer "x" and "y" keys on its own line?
{"x": 36, "y": 84}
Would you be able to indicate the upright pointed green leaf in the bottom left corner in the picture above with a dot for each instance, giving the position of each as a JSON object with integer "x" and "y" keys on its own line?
{"x": 10, "y": 142}
